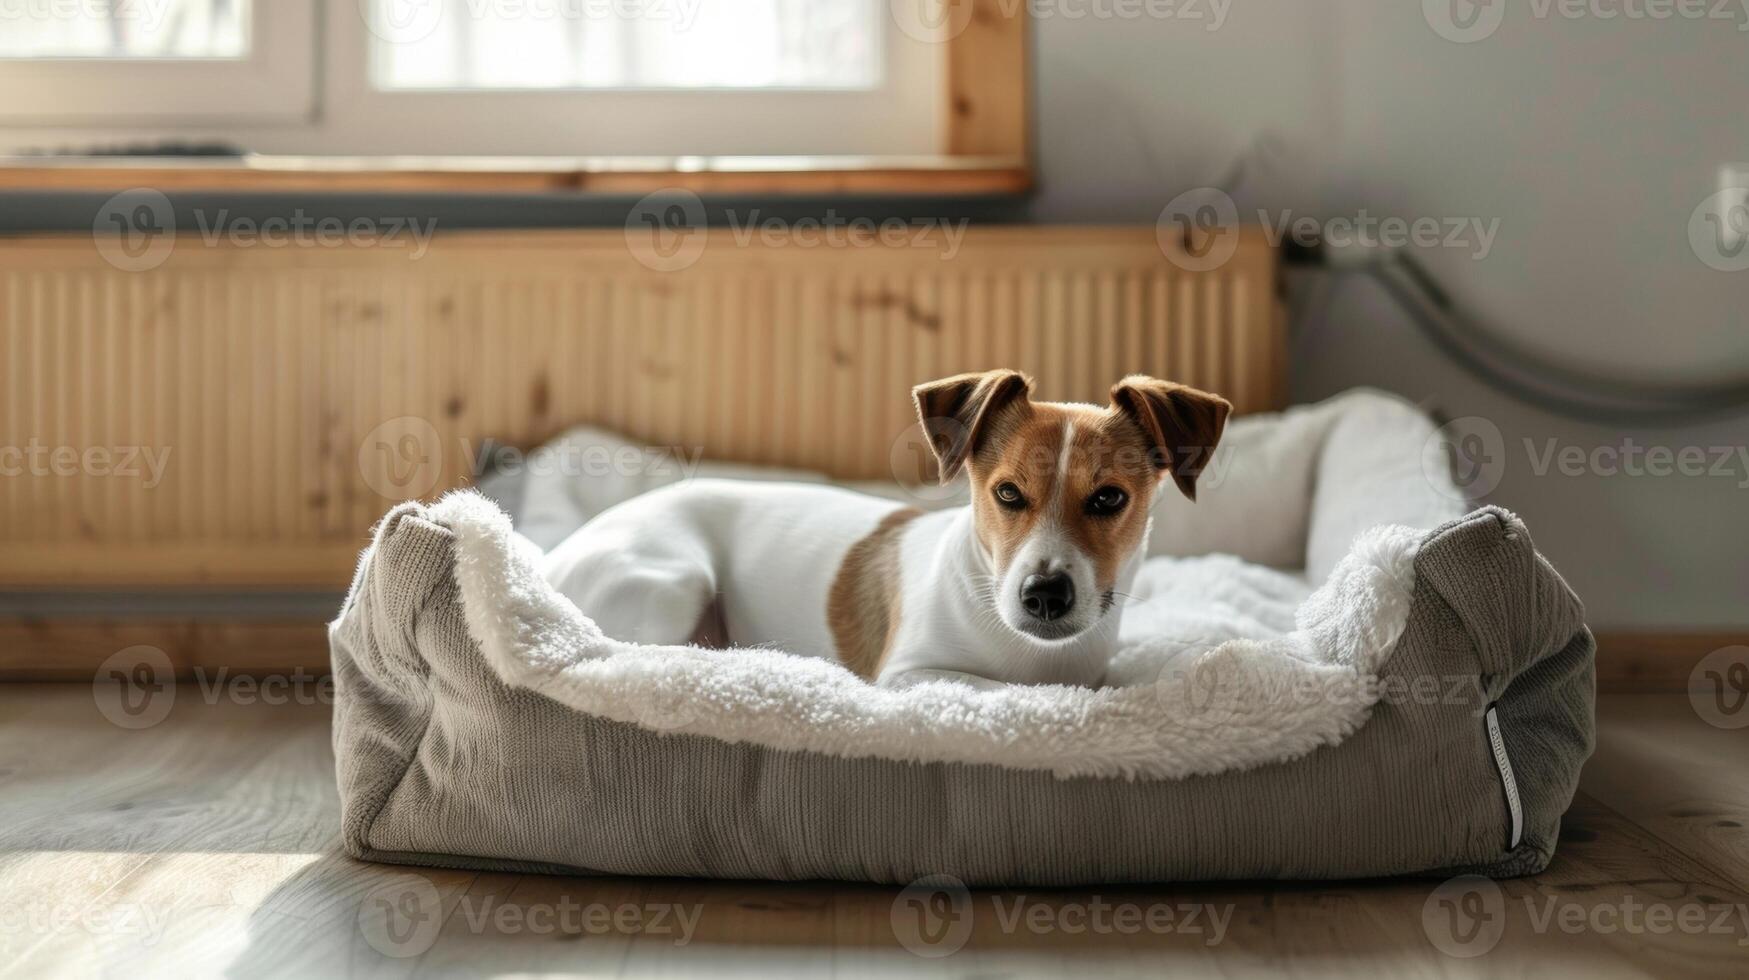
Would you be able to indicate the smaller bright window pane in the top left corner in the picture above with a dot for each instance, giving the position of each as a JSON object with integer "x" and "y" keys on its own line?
{"x": 123, "y": 29}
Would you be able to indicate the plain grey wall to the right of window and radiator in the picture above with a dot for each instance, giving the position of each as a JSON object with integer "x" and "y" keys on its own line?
{"x": 1591, "y": 141}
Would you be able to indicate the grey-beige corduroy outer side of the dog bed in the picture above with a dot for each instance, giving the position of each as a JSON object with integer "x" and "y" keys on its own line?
{"x": 440, "y": 764}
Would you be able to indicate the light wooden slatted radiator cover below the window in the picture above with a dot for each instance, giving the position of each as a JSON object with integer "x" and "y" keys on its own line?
{"x": 240, "y": 416}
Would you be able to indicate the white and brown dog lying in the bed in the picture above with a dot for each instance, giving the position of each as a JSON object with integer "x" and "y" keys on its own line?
{"x": 1021, "y": 587}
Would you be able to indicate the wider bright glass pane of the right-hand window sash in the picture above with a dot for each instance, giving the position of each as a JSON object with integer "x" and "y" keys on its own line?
{"x": 562, "y": 45}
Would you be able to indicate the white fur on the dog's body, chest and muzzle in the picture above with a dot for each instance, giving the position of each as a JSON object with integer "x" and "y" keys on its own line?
{"x": 765, "y": 556}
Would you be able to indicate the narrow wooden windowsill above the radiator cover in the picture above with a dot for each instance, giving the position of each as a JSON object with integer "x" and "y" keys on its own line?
{"x": 930, "y": 176}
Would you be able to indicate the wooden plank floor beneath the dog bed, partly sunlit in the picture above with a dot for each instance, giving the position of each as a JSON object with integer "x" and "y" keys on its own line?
{"x": 206, "y": 846}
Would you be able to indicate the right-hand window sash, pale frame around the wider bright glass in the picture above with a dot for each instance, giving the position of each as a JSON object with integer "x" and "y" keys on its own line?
{"x": 634, "y": 78}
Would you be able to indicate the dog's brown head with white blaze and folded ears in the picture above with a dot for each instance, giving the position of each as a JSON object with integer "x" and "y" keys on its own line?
{"x": 1063, "y": 493}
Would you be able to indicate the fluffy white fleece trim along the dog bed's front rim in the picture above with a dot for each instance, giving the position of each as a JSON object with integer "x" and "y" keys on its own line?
{"x": 1237, "y": 706}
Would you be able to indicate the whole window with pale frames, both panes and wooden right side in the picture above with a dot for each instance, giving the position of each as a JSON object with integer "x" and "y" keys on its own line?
{"x": 578, "y": 87}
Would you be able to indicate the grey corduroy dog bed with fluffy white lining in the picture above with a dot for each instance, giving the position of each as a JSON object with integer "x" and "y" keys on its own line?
{"x": 1328, "y": 671}
